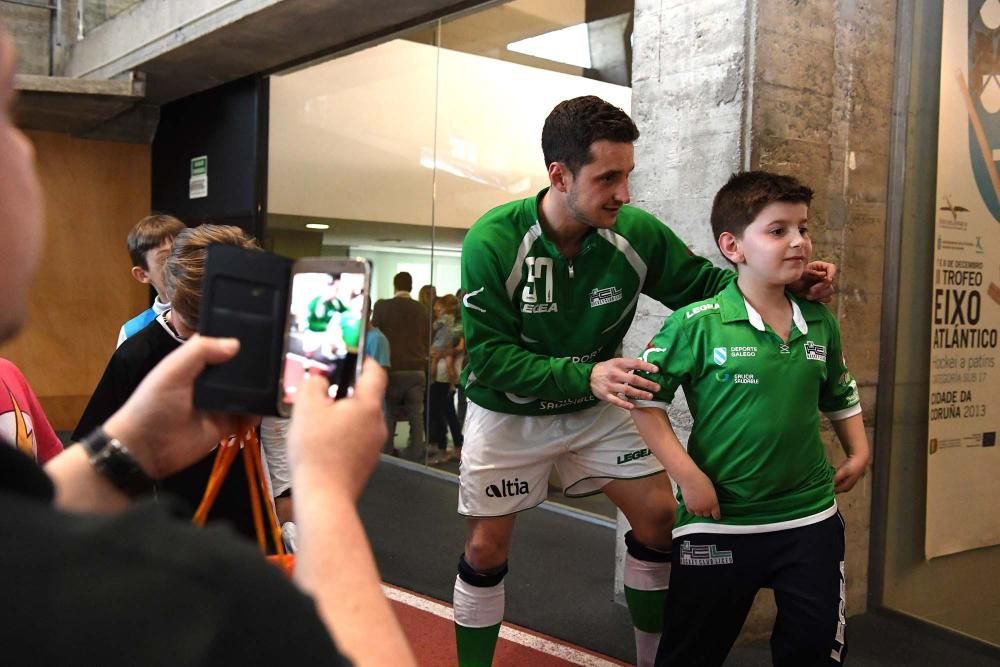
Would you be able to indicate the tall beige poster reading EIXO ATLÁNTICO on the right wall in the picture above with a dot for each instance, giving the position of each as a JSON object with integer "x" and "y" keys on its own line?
{"x": 963, "y": 460}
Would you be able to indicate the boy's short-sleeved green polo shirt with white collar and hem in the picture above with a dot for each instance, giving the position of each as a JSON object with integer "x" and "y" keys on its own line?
{"x": 754, "y": 401}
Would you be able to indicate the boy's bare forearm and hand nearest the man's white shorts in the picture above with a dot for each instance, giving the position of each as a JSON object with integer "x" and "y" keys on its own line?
{"x": 696, "y": 488}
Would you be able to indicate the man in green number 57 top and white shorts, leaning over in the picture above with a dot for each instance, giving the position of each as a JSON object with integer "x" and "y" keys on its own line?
{"x": 552, "y": 283}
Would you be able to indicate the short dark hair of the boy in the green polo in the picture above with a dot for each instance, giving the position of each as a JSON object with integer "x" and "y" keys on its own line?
{"x": 748, "y": 193}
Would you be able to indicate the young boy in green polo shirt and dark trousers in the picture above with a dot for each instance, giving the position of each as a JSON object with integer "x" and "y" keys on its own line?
{"x": 757, "y": 495}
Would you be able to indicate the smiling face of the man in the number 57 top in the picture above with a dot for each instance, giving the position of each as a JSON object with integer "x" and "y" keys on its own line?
{"x": 596, "y": 193}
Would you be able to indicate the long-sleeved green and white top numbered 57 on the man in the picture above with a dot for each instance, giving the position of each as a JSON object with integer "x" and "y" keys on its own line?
{"x": 537, "y": 323}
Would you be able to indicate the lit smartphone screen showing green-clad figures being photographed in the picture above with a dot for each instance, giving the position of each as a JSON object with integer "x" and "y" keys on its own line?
{"x": 326, "y": 326}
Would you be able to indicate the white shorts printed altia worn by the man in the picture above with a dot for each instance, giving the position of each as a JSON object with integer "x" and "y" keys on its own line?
{"x": 506, "y": 459}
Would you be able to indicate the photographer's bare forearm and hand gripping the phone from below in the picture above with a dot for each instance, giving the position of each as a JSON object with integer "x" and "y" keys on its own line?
{"x": 333, "y": 448}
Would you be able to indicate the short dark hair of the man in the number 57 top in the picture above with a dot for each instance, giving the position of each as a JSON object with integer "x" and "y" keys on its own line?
{"x": 575, "y": 124}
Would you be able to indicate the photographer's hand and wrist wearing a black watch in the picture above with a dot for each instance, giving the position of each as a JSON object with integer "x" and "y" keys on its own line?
{"x": 158, "y": 424}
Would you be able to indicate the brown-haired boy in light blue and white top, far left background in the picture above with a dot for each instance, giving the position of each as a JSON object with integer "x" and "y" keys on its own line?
{"x": 149, "y": 245}
